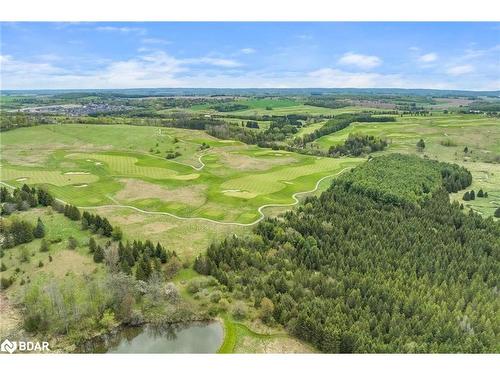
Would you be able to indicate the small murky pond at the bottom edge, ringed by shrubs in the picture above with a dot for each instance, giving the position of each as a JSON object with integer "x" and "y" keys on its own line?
{"x": 194, "y": 337}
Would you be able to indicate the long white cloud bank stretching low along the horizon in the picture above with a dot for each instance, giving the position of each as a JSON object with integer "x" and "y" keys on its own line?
{"x": 159, "y": 69}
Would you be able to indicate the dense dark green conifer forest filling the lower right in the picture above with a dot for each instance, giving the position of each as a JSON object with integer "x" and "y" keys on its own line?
{"x": 353, "y": 272}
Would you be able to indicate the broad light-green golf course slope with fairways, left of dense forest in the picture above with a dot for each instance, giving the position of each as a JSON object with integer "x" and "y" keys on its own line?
{"x": 111, "y": 165}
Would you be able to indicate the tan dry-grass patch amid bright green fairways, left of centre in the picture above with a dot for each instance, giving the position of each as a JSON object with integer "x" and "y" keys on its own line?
{"x": 137, "y": 189}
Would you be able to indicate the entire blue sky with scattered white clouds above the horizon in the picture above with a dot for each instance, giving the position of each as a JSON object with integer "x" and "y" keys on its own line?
{"x": 140, "y": 55}
